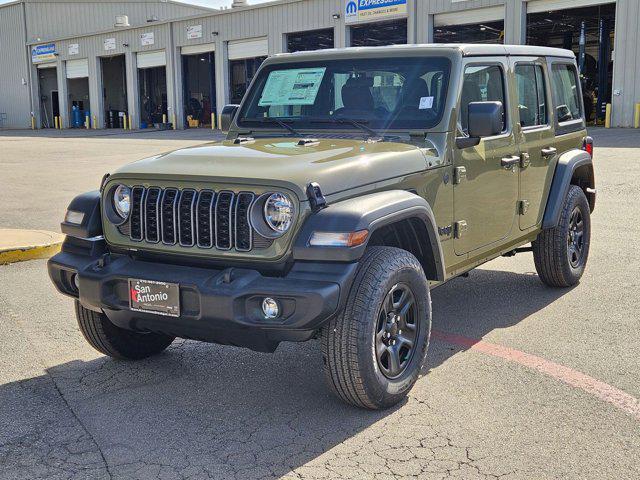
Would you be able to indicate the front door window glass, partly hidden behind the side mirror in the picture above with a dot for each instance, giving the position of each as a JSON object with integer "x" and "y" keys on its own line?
{"x": 482, "y": 83}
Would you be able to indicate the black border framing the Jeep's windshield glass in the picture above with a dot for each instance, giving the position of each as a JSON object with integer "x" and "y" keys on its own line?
{"x": 244, "y": 123}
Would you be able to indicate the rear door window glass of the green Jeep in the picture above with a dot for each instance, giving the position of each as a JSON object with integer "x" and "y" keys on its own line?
{"x": 532, "y": 103}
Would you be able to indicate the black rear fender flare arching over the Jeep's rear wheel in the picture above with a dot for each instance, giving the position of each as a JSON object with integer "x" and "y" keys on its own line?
{"x": 574, "y": 167}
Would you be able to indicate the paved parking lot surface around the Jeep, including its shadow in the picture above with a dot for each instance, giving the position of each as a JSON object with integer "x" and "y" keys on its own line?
{"x": 522, "y": 381}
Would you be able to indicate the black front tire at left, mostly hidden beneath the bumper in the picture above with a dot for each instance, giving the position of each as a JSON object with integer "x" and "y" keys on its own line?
{"x": 117, "y": 342}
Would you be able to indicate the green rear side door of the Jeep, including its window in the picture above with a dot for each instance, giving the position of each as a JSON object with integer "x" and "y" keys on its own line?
{"x": 537, "y": 138}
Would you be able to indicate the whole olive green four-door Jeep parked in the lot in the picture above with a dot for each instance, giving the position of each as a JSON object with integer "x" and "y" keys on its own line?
{"x": 351, "y": 182}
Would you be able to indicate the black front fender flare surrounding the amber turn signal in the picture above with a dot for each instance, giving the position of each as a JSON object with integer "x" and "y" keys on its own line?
{"x": 369, "y": 212}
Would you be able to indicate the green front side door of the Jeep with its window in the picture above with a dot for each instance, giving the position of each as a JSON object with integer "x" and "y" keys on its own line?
{"x": 485, "y": 176}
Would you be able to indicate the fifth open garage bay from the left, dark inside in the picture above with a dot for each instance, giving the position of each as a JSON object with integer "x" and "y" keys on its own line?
{"x": 198, "y": 77}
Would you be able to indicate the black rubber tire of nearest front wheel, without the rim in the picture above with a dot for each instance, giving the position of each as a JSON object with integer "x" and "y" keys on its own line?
{"x": 348, "y": 341}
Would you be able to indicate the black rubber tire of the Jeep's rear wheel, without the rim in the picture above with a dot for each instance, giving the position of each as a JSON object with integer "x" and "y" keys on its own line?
{"x": 551, "y": 248}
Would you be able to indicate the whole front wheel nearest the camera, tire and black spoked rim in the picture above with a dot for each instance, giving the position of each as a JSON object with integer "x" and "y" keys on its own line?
{"x": 373, "y": 351}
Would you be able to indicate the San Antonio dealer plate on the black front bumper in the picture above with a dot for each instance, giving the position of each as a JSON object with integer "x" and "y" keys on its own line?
{"x": 148, "y": 296}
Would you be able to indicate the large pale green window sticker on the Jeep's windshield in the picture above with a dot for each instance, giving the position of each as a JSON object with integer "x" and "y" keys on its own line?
{"x": 292, "y": 87}
